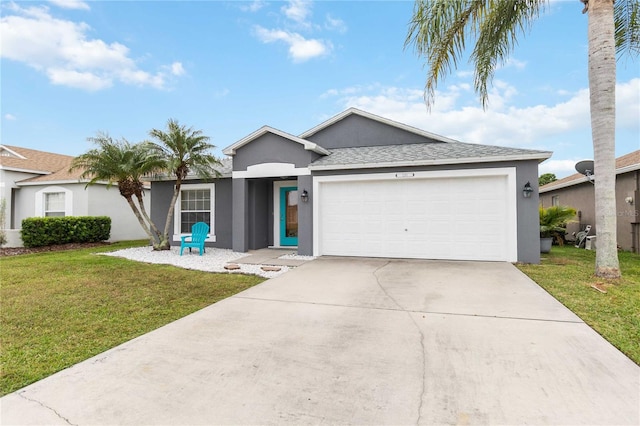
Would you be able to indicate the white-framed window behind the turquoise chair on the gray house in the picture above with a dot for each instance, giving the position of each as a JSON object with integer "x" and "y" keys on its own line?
{"x": 195, "y": 204}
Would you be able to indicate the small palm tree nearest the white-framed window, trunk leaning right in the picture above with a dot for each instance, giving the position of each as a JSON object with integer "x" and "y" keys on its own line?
{"x": 183, "y": 150}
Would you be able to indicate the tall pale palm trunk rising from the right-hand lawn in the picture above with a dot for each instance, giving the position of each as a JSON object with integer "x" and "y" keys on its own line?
{"x": 602, "y": 86}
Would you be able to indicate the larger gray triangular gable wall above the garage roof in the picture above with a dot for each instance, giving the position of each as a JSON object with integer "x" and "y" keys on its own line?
{"x": 357, "y": 131}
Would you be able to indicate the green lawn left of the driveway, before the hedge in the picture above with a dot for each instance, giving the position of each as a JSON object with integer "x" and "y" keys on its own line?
{"x": 59, "y": 308}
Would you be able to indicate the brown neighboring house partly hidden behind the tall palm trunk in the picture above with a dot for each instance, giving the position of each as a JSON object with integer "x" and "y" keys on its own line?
{"x": 577, "y": 191}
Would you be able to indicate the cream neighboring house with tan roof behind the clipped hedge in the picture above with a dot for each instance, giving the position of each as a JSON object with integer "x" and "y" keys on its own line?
{"x": 37, "y": 184}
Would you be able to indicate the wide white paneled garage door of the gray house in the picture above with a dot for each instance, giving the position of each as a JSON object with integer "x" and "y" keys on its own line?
{"x": 469, "y": 217}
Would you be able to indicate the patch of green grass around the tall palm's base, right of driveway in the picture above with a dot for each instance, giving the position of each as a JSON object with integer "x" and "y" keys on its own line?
{"x": 567, "y": 274}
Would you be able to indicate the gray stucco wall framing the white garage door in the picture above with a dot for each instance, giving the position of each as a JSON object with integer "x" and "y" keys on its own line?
{"x": 528, "y": 223}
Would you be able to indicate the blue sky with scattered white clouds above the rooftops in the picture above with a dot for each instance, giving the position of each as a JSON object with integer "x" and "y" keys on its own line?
{"x": 72, "y": 68}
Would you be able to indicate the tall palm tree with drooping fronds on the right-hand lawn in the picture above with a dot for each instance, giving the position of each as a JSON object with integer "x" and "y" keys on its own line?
{"x": 438, "y": 31}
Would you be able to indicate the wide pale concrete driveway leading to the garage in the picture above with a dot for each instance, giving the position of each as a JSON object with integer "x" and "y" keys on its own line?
{"x": 355, "y": 341}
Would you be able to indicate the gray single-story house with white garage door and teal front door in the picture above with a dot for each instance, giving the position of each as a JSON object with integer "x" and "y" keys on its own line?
{"x": 362, "y": 185}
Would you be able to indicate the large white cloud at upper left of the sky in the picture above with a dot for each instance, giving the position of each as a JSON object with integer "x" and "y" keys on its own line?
{"x": 61, "y": 50}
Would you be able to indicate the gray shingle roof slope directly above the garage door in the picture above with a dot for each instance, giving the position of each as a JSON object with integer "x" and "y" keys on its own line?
{"x": 422, "y": 154}
